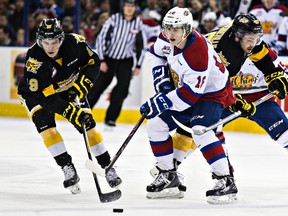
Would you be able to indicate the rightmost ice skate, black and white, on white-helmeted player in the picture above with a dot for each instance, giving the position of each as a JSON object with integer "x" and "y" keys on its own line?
{"x": 224, "y": 191}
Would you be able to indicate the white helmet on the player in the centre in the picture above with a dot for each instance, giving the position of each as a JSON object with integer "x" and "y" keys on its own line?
{"x": 177, "y": 18}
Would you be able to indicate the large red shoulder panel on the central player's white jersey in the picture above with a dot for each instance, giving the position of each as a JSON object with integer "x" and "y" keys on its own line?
{"x": 196, "y": 54}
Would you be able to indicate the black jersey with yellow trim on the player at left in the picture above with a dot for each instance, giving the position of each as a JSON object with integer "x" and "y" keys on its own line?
{"x": 45, "y": 77}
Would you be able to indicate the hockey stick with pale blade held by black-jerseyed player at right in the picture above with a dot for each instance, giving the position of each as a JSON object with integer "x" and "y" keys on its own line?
{"x": 223, "y": 121}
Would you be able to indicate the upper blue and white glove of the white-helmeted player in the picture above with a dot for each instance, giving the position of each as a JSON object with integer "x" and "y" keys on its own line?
{"x": 161, "y": 79}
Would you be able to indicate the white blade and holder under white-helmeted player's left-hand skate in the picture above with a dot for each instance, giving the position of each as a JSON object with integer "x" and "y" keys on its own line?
{"x": 168, "y": 193}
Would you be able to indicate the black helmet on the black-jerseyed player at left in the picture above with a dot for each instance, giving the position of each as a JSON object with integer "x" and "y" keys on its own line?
{"x": 49, "y": 29}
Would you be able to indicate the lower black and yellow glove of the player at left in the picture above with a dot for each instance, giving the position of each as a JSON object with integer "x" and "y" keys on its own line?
{"x": 77, "y": 117}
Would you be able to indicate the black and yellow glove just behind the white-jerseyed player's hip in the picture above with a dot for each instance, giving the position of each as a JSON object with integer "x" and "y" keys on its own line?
{"x": 247, "y": 109}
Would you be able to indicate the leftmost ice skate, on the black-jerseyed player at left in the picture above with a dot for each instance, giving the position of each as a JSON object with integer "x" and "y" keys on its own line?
{"x": 71, "y": 179}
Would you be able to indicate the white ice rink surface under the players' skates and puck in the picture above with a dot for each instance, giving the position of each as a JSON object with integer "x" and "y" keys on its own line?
{"x": 31, "y": 182}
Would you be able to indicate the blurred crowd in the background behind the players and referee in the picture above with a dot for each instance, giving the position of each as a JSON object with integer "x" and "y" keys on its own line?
{"x": 19, "y": 19}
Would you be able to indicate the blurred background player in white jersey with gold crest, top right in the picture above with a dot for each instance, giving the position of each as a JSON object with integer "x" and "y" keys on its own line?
{"x": 268, "y": 13}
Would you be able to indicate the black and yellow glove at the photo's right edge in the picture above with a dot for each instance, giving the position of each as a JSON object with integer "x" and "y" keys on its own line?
{"x": 277, "y": 83}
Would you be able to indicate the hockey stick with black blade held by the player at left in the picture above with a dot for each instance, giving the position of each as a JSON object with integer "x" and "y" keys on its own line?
{"x": 104, "y": 197}
